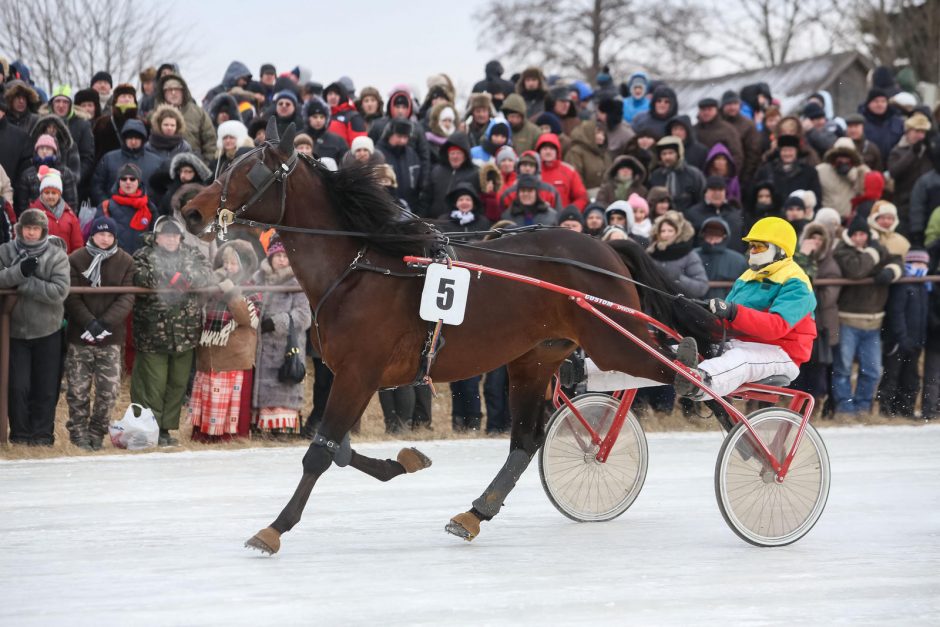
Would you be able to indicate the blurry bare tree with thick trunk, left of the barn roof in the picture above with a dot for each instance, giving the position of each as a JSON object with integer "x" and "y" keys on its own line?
{"x": 583, "y": 36}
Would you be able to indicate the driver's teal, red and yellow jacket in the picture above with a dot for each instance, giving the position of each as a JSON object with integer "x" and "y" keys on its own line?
{"x": 775, "y": 306}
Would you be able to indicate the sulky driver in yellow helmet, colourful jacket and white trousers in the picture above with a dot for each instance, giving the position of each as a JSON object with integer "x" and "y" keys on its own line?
{"x": 769, "y": 310}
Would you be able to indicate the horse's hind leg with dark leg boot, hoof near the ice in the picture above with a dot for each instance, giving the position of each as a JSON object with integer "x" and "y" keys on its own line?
{"x": 529, "y": 378}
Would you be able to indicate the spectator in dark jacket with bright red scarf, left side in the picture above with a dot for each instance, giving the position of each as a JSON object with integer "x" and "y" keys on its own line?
{"x": 130, "y": 208}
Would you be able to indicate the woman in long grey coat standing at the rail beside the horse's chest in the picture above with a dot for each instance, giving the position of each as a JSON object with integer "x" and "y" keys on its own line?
{"x": 278, "y": 403}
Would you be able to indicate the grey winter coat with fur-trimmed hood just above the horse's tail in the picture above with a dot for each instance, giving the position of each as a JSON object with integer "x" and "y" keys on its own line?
{"x": 678, "y": 261}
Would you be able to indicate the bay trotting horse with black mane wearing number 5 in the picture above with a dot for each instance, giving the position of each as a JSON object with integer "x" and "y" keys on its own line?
{"x": 345, "y": 242}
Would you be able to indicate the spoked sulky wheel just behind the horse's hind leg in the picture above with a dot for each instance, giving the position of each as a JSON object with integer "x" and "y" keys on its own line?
{"x": 581, "y": 487}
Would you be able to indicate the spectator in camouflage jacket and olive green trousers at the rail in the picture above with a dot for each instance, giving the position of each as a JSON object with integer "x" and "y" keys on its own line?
{"x": 167, "y": 327}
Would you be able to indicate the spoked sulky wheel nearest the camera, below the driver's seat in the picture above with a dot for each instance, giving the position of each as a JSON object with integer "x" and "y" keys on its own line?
{"x": 760, "y": 509}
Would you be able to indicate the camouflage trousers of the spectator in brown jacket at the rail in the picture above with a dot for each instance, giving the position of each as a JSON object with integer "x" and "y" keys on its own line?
{"x": 86, "y": 364}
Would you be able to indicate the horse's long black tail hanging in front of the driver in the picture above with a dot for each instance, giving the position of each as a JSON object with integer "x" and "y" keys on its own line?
{"x": 662, "y": 302}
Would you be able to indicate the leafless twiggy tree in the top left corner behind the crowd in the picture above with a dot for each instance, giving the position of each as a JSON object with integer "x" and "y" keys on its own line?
{"x": 67, "y": 41}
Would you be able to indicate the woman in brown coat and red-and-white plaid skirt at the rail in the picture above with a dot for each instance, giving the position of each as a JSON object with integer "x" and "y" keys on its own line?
{"x": 220, "y": 406}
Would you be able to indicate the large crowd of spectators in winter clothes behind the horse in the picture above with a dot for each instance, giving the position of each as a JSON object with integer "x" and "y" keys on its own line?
{"x": 92, "y": 181}
